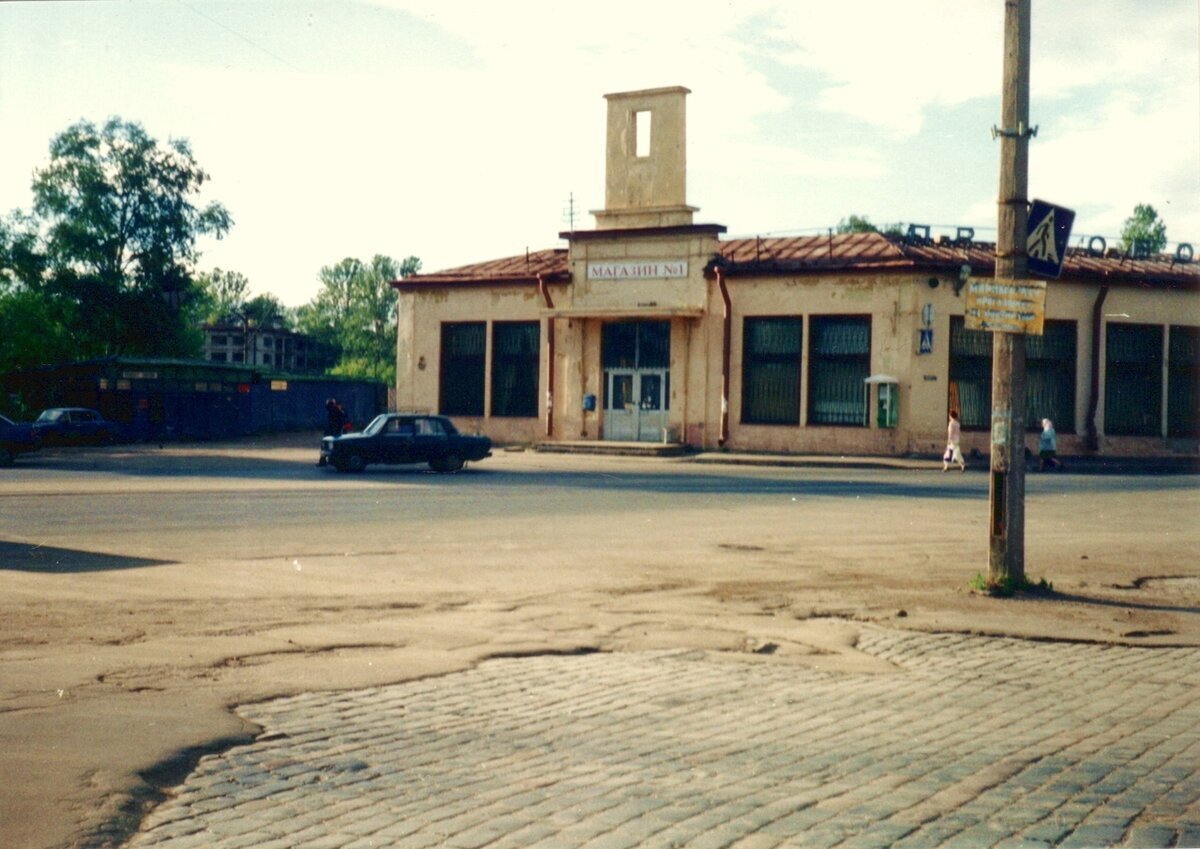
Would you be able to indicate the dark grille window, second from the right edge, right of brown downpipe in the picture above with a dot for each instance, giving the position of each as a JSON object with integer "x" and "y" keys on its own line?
{"x": 1133, "y": 381}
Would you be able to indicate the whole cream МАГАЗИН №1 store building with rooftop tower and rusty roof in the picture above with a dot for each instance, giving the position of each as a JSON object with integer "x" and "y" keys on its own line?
{"x": 655, "y": 328}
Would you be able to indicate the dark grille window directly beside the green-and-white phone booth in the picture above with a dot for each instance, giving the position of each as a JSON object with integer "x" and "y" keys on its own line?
{"x": 839, "y": 363}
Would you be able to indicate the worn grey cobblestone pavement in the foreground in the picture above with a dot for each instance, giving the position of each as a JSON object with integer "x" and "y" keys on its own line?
{"x": 967, "y": 743}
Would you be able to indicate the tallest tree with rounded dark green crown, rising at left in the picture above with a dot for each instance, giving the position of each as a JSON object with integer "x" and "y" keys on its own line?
{"x": 121, "y": 230}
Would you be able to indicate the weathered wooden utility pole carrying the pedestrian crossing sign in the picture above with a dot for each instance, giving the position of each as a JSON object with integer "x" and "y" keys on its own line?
{"x": 1007, "y": 487}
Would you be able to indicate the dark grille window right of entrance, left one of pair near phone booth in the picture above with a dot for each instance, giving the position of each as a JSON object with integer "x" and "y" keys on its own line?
{"x": 771, "y": 371}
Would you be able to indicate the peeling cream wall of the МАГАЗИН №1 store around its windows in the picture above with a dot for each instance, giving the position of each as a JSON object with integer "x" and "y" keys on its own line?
{"x": 895, "y": 304}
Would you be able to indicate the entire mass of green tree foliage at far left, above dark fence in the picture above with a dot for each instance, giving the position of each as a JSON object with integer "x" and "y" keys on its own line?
{"x": 106, "y": 258}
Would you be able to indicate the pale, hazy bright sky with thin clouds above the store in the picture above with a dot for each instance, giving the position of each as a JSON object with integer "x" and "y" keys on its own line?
{"x": 466, "y": 131}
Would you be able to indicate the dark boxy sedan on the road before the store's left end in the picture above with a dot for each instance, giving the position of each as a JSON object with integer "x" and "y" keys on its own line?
{"x": 405, "y": 438}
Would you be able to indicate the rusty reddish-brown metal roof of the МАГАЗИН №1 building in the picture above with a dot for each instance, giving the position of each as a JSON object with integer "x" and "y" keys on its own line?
{"x": 839, "y": 254}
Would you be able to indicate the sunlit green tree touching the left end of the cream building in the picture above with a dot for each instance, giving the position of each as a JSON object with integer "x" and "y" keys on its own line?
{"x": 355, "y": 314}
